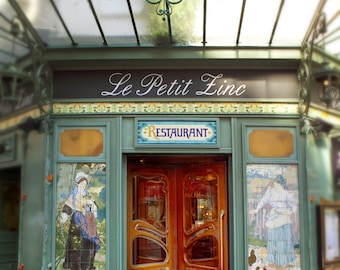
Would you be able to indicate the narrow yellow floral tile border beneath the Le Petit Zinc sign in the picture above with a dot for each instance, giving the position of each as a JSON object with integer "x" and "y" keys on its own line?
{"x": 175, "y": 107}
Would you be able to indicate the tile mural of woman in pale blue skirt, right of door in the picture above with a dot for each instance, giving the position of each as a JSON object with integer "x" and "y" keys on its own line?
{"x": 273, "y": 217}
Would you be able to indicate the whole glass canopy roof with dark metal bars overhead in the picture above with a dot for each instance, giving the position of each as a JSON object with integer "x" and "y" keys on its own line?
{"x": 129, "y": 23}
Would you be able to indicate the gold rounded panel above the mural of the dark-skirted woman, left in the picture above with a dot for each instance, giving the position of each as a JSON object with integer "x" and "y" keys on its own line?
{"x": 81, "y": 142}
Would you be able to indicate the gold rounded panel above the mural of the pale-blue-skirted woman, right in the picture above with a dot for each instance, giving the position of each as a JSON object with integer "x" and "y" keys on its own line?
{"x": 271, "y": 143}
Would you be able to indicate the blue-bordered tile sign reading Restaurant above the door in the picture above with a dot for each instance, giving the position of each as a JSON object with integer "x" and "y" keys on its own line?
{"x": 150, "y": 132}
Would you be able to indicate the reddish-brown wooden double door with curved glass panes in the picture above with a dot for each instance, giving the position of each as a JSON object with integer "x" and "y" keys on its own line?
{"x": 177, "y": 213}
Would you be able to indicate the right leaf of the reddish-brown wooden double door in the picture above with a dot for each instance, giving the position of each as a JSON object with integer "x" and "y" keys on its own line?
{"x": 203, "y": 232}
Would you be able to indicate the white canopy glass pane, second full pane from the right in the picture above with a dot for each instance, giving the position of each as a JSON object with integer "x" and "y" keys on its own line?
{"x": 258, "y": 21}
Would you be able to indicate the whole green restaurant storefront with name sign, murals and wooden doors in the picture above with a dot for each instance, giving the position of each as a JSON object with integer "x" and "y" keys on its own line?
{"x": 164, "y": 166}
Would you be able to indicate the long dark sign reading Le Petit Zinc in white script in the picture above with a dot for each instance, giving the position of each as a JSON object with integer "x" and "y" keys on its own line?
{"x": 160, "y": 84}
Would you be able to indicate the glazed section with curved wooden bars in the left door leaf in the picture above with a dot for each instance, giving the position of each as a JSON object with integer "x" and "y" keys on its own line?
{"x": 149, "y": 213}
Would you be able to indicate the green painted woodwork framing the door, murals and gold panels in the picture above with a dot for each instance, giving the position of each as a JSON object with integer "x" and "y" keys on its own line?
{"x": 41, "y": 159}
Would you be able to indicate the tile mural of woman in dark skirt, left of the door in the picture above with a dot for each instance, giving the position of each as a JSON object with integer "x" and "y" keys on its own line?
{"x": 81, "y": 218}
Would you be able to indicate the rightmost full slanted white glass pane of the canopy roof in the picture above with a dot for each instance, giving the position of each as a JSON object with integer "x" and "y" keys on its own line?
{"x": 294, "y": 22}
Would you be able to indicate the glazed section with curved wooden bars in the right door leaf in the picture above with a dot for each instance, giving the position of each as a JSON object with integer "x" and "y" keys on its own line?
{"x": 200, "y": 198}
